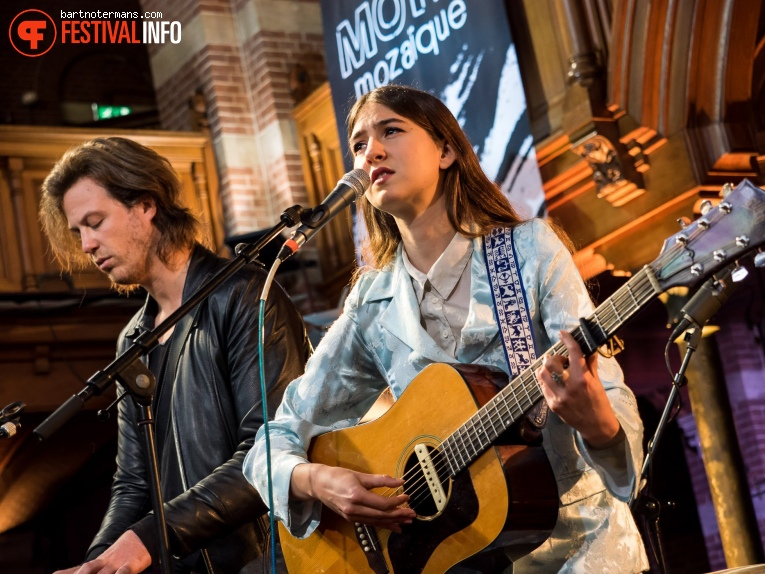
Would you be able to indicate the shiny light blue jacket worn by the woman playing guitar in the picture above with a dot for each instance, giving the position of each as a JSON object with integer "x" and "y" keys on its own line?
{"x": 378, "y": 341}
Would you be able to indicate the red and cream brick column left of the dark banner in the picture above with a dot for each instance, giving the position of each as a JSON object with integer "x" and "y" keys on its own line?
{"x": 239, "y": 55}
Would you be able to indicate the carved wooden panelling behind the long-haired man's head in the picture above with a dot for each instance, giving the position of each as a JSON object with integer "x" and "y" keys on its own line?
{"x": 26, "y": 156}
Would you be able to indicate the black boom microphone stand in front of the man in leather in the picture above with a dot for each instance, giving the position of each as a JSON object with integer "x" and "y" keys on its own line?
{"x": 140, "y": 383}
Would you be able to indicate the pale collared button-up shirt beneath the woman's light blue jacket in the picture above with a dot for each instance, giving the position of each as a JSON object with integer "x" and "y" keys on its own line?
{"x": 444, "y": 293}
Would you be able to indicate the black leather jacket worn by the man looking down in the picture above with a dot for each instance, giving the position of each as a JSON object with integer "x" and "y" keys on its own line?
{"x": 214, "y": 413}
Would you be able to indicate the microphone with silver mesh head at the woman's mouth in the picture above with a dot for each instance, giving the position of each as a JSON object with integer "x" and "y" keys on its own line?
{"x": 348, "y": 189}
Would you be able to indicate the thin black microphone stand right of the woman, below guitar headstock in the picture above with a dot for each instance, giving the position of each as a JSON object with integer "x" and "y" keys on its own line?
{"x": 644, "y": 503}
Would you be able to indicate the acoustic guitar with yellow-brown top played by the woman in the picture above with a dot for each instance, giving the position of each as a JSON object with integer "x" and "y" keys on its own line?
{"x": 454, "y": 434}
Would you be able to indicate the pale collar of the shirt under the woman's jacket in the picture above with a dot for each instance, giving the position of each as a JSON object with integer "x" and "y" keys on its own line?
{"x": 445, "y": 272}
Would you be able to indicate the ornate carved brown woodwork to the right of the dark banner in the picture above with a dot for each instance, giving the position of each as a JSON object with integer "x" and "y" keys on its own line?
{"x": 673, "y": 102}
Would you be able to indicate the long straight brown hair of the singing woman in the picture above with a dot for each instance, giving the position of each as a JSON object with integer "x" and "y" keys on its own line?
{"x": 474, "y": 204}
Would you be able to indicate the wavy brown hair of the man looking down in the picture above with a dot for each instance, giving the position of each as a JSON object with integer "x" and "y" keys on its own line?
{"x": 130, "y": 173}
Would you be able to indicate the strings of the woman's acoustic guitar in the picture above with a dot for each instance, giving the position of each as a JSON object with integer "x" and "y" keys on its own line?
{"x": 637, "y": 291}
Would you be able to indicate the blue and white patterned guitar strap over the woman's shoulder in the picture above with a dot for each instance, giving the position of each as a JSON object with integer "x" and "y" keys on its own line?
{"x": 512, "y": 313}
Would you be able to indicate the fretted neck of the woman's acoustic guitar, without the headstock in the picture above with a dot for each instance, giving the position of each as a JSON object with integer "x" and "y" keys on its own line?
{"x": 513, "y": 402}
